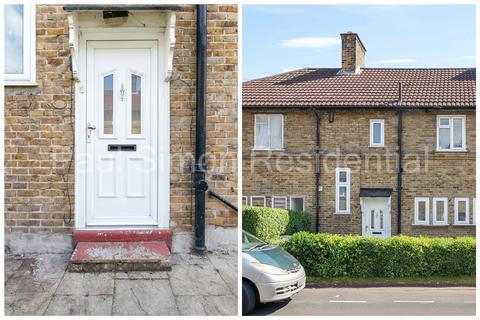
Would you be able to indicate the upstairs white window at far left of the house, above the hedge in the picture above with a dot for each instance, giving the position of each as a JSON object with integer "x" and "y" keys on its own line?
{"x": 268, "y": 132}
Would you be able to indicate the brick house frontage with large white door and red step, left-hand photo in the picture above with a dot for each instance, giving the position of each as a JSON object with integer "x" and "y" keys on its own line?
{"x": 109, "y": 110}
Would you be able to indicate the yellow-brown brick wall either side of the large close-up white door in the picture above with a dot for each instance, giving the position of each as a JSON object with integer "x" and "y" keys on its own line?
{"x": 38, "y": 135}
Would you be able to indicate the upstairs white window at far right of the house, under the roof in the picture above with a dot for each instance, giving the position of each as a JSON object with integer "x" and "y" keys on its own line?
{"x": 451, "y": 133}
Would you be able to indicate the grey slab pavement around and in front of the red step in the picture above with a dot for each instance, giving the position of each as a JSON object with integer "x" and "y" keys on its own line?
{"x": 197, "y": 285}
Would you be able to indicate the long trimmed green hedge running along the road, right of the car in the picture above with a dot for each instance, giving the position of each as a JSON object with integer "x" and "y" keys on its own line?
{"x": 330, "y": 255}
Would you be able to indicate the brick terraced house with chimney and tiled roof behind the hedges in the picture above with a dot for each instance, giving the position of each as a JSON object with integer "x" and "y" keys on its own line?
{"x": 369, "y": 151}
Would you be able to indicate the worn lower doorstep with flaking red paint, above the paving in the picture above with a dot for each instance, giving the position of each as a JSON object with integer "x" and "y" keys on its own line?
{"x": 120, "y": 256}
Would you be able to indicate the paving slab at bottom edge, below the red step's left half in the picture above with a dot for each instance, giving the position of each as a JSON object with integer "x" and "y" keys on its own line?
{"x": 100, "y": 305}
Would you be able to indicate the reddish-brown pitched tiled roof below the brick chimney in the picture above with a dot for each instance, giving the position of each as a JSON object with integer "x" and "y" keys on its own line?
{"x": 372, "y": 87}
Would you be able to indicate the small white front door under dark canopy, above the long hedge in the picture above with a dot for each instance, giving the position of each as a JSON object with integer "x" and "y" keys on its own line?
{"x": 376, "y": 218}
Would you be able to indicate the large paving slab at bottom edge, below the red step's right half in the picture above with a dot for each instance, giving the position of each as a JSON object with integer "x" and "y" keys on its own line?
{"x": 144, "y": 297}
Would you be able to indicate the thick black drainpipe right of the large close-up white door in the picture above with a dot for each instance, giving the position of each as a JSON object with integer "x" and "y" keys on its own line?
{"x": 201, "y": 185}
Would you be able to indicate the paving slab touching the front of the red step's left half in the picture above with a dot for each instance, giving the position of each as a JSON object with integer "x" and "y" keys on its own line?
{"x": 86, "y": 283}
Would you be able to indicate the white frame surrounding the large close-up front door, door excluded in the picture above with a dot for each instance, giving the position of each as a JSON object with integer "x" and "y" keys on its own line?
{"x": 164, "y": 63}
